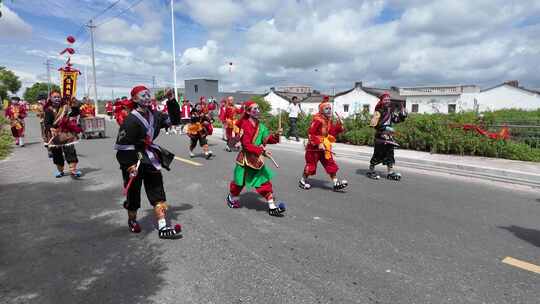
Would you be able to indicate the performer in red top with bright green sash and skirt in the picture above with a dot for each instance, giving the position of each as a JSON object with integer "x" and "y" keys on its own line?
{"x": 250, "y": 169}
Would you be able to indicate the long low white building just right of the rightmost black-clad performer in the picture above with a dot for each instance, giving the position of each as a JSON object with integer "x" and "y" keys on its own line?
{"x": 440, "y": 99}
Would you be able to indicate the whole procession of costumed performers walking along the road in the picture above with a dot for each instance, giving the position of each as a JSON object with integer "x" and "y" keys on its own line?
{"x": 141, "y": 160}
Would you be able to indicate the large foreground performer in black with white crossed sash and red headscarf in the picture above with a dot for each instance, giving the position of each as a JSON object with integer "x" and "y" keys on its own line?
{"x": 141, "y": 161}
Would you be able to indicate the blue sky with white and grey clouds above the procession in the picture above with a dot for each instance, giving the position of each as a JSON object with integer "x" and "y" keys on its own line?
{"x": 327, "y": 43}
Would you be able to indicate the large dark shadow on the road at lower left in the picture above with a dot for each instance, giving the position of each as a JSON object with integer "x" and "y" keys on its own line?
{"x": 66, "y": 244}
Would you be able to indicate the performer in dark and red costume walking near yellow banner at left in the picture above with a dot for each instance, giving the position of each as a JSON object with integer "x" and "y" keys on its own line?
{"x": 62, "y": 132}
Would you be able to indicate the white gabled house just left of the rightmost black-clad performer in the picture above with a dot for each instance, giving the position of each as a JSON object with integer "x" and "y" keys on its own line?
{"x": 362, "y": 99}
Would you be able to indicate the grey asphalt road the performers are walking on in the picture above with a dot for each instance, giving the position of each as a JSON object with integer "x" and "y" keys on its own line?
{"x": 431, "y": 238}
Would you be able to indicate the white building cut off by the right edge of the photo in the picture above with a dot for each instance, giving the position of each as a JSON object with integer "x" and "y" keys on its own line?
{"x": 508, "y": 96}
